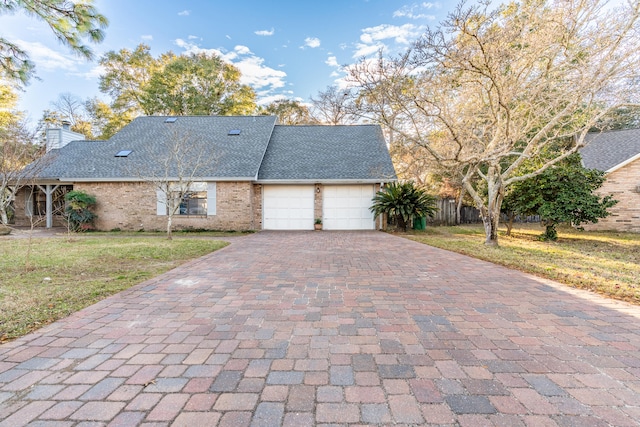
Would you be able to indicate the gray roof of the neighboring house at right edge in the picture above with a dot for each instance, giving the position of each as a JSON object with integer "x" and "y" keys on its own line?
{"x": 608, "y": 151}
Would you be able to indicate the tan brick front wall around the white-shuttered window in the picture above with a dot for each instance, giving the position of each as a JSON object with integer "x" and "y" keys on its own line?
{"x": 132, "y": 206}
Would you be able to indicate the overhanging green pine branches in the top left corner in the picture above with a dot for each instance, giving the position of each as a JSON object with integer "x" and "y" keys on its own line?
{"x": 72, "y": 22}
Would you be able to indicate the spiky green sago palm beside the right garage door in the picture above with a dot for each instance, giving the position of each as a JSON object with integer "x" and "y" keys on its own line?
{"x": 404, "y": 202}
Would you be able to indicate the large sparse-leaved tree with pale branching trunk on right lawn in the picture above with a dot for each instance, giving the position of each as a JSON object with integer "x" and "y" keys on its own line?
{"x": 491, "y": 88}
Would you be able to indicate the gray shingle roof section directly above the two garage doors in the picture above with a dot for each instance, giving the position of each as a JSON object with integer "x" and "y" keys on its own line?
{"x": 319, "y": 153}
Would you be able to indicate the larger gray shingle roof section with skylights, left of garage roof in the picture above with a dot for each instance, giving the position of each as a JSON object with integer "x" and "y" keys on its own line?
{"x": 150, "y": 138}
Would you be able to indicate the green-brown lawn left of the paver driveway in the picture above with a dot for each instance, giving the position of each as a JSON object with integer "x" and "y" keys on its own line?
{"x": 63, "y": 275}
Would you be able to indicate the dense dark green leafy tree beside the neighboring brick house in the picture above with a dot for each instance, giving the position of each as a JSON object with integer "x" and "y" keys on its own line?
{"x": 564, "y": 192}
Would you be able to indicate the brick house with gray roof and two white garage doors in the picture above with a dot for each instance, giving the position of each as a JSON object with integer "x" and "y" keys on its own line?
{"x": 250, "y": 174}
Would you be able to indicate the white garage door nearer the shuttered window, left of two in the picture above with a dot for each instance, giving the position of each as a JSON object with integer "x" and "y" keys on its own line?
{"x": 288, "y": 207}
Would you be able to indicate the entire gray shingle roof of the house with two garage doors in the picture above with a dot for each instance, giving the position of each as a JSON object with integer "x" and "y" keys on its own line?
{"x": 262, "y": 150}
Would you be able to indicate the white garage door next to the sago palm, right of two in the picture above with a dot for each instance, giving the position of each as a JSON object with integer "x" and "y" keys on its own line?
{"x": 346, "y": 207}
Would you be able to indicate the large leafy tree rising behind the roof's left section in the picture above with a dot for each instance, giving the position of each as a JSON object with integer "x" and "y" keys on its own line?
{"x": 198, "y": 84}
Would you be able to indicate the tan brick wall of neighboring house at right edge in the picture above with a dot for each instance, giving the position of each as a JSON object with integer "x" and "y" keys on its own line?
{"x": 625, "y": 216}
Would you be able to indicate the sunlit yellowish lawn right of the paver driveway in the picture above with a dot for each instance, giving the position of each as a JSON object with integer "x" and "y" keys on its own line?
{"x": 603, "y": 262}
